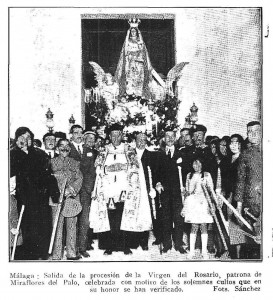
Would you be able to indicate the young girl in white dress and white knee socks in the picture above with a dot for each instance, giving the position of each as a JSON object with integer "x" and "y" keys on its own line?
{"x": 196, "y": 208}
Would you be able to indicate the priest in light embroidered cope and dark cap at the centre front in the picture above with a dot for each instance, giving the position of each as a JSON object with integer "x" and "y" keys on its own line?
{"x": 116, "y": 209}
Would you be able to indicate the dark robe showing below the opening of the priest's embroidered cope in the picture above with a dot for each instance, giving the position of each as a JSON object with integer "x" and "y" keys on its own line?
{"x": 115, "y": 239}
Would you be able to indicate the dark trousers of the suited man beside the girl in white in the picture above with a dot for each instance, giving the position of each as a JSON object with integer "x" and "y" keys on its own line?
{"x": 172, "y": 222}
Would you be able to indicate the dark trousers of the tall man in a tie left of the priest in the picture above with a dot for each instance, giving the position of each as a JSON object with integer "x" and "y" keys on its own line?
{"x": 83, "y": 220}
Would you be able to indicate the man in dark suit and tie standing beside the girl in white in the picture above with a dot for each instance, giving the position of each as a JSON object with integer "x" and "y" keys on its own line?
{"x": 171, "y": 200}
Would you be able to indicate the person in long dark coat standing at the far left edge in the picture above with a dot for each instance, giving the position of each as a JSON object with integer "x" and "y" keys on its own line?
{"x": 35, "y": 184}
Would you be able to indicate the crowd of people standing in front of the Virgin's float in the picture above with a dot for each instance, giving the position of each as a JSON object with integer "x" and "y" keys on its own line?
{"x": 68, "y": 191}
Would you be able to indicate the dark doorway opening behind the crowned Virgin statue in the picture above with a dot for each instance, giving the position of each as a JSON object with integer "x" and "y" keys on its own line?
{"x": 102, "y": 41}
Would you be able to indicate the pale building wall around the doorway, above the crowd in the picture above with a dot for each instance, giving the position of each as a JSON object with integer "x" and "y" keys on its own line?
{"x": 222, "y": 47}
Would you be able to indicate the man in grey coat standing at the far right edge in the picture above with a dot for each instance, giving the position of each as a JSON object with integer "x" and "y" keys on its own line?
{"x": 248, "y": 192}
